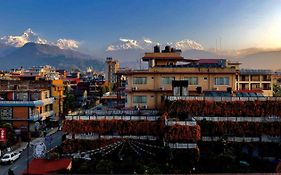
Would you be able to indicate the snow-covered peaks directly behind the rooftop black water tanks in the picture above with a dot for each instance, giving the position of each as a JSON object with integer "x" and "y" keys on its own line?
{"x": 147, "y": 44}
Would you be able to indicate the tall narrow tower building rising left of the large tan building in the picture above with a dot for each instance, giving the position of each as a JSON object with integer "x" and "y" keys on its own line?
{"x": 111, "y": 67}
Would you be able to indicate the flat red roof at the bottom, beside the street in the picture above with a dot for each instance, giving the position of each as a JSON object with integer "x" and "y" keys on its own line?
{"x": 46, "y": 166}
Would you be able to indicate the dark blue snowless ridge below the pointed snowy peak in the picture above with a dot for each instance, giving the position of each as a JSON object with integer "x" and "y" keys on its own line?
{"x": 32, "y": 54}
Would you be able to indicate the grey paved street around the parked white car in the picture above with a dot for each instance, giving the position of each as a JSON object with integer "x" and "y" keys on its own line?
{"x": 20, "y": 165}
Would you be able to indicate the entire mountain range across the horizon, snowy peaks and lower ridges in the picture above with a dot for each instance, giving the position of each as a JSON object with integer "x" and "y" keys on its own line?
{"x": 29, "y": 49}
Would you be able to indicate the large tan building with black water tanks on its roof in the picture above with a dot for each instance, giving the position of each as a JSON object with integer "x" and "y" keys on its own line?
{"x": 147, "y": 88}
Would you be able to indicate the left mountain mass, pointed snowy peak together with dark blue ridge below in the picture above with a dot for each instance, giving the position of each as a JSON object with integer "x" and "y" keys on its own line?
{"x": 29, "y": 49}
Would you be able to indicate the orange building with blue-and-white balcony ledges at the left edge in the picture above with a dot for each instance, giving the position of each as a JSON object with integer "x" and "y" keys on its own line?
{"x": 18, "y": 106}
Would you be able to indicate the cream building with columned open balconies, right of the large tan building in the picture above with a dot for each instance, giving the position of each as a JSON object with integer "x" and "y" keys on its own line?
{"x": 255, "y": 80}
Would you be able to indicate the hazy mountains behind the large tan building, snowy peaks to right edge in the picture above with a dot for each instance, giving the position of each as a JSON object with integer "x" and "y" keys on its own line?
{"x": 129, "y": 52}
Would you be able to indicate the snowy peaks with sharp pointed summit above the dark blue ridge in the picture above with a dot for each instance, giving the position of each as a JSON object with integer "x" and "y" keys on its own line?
{"x": 28, "y": 36}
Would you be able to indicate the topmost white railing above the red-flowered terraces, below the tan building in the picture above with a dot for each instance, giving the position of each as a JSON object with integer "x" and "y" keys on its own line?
{"x": 200, "y": 98}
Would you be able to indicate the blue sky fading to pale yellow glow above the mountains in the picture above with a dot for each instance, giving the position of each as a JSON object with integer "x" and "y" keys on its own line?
{"x": 238, "y": 24}
